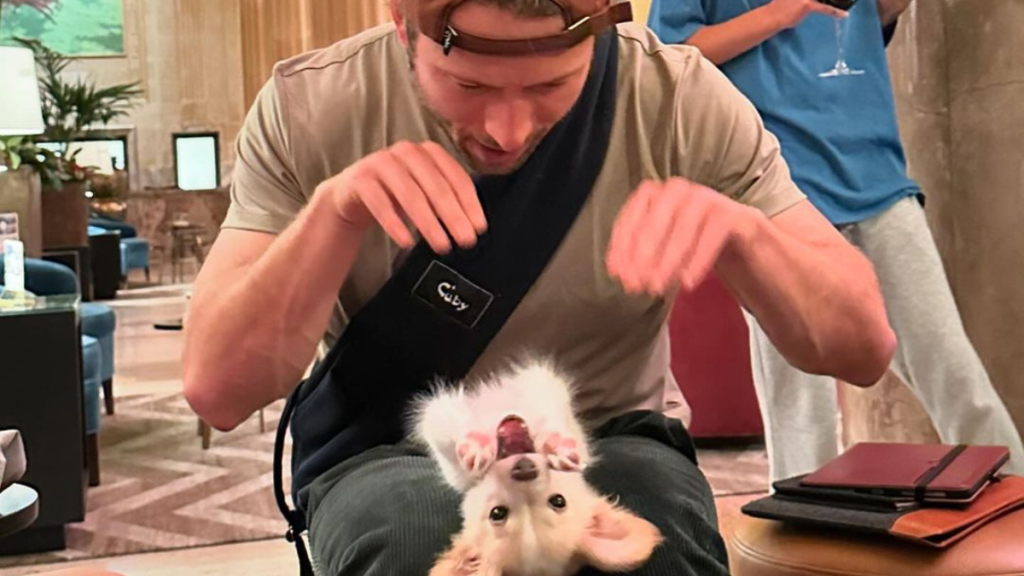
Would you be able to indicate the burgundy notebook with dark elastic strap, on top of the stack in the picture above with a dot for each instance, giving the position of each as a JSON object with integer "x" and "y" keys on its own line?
{"x": 920, "y": 472}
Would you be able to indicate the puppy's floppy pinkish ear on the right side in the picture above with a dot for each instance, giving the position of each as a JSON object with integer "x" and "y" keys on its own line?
{"x": 618, "y": 541}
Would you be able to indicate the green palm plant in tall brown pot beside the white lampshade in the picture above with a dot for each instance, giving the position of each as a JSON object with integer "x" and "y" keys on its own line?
{"x": 71, "y": 111}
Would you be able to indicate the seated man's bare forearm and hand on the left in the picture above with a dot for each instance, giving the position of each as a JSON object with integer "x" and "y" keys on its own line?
{"x": 238, "y": 358}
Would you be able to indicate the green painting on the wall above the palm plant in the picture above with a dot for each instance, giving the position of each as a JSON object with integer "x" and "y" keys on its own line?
{"x": 74, "y": 28}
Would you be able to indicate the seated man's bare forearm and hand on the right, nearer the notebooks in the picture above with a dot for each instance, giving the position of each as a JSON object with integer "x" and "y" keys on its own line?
{"x": 816, "y": 295}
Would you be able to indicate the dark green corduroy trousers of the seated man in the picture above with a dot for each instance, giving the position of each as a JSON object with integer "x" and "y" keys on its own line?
{"x": 389, "y": 513}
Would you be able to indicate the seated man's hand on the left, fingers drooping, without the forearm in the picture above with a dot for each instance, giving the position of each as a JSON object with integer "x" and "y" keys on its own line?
{"x": 418, "y": 182}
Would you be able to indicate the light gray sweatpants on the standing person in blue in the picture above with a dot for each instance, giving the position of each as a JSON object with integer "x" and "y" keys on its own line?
{"x": 934, "y": 357}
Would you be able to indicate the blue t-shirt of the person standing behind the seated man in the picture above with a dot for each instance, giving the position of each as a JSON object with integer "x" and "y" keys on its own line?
{"x": 839, "y": 135}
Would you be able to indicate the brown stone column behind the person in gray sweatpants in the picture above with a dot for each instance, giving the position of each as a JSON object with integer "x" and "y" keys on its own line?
{"x": 958, "y": 70}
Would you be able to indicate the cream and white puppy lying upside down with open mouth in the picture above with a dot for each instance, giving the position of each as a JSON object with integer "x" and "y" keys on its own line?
{"x": 515, "y": 448}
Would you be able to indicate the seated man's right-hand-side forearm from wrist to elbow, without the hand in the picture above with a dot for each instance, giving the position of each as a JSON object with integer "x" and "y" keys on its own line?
{"x": 821, "y": 305}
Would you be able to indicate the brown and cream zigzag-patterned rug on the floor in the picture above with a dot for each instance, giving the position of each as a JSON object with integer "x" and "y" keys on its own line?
{"x": 162, "y": 491}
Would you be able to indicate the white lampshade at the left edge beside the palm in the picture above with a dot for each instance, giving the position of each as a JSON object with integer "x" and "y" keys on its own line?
{"x": 21, "y": 114}
